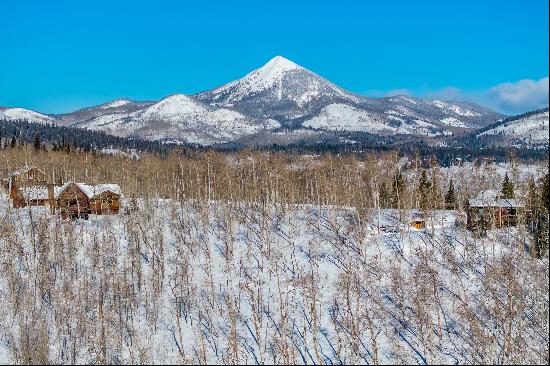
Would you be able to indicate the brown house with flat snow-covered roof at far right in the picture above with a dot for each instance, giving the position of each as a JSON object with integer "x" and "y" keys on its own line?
{"x": 493, "y": 213}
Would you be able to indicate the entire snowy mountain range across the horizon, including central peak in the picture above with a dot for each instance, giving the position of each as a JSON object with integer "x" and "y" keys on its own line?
{"x": 281, "y": 101}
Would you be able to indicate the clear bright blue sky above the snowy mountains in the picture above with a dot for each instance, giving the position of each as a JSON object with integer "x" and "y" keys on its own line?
{"x": 56, "y": 56}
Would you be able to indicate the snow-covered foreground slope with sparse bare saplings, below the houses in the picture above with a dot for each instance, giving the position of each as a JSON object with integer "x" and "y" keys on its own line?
{"x": 224, "y": 283}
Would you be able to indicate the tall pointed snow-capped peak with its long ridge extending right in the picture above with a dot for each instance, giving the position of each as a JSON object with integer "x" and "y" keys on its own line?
{"x": 285, "y": 91}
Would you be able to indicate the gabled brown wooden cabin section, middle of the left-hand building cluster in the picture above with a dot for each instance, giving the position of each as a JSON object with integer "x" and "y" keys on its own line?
{"x": 72, "y": 200}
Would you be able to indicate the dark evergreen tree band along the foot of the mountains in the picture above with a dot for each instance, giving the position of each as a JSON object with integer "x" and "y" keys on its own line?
{"x": 54, "y": 137}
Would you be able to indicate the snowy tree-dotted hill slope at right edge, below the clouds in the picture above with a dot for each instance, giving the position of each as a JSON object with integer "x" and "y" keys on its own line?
{"x": 530, "y": 129}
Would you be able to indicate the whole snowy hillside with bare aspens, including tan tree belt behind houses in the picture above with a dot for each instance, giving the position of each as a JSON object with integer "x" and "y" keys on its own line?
{"x": 262, "y": 257}
